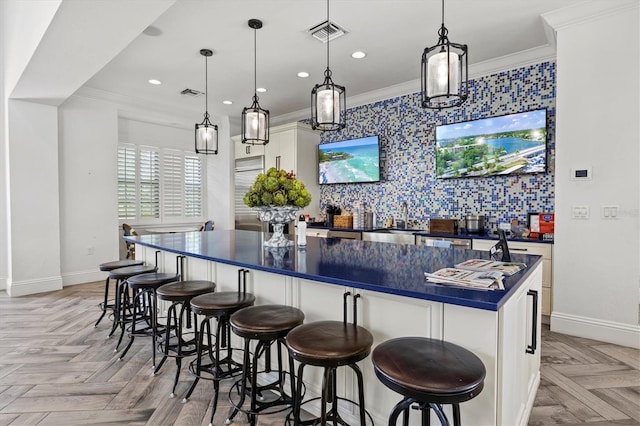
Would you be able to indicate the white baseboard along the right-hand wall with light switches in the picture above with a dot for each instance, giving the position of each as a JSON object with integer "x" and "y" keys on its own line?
{"x": 605, "y": 331}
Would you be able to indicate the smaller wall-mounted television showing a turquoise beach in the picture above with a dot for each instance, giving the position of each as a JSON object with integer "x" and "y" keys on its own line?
{"x": 349, "y": 161}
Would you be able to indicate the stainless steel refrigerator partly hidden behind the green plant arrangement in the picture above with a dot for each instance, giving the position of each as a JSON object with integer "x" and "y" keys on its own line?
{"x": 245, "y": 172}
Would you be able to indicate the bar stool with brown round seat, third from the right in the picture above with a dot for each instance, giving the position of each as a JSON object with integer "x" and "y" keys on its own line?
{"x": 266, "y": 325}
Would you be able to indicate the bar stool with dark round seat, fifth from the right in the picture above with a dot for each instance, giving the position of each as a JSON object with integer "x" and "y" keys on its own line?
{"x": 180, "y": 294}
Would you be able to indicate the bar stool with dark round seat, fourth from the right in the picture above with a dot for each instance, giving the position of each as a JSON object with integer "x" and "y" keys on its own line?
{"x": 219, "y": 306}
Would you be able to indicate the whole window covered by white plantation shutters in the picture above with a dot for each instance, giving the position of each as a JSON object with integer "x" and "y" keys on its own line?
{"x": 157, "y": 186}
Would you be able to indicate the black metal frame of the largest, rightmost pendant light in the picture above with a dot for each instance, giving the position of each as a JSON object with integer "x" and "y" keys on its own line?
{"x": 448, "y": 99}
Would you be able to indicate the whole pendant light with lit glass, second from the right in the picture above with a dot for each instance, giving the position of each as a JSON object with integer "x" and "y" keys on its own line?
{"x": 328, "y": 100}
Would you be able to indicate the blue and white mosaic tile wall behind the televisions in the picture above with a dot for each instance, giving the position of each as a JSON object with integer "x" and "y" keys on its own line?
{"x": 407, "y": 137}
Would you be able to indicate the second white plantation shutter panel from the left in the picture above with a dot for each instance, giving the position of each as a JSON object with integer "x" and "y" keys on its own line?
{"x": 149, "y": 184}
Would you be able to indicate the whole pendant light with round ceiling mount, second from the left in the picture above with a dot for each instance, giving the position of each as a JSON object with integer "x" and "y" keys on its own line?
{"x": 255, "y": 120}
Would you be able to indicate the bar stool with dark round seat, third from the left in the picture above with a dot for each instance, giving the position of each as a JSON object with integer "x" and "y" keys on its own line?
{"x": 144, "y": 307}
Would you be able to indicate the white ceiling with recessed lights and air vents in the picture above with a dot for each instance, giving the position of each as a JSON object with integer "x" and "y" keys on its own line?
{"x": 393, "y": 33}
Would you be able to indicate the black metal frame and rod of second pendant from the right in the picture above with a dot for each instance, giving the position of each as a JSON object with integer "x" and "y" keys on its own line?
{"x": 337, "y": 120}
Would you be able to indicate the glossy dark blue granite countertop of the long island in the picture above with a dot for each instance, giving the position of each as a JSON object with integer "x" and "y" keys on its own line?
{"x": 389, "y": 268}
